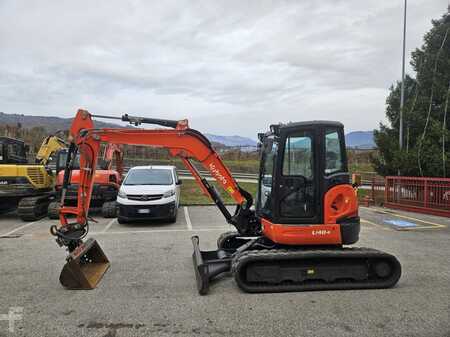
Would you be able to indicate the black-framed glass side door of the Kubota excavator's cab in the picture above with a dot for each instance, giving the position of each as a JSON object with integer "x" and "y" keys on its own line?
{"x": 297, "y": 187}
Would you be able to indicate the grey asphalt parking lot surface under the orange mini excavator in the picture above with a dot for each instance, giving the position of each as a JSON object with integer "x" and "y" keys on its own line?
{"x": 150, "y": 288}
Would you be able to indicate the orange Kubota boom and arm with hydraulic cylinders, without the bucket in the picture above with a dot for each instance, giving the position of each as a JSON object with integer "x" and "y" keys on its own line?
{"x": 181, "y": 141}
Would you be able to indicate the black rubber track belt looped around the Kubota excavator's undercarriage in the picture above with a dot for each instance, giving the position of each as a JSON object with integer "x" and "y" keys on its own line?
{"x": 368, "y": 254}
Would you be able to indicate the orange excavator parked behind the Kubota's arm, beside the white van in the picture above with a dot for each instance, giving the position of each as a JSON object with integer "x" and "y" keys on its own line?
{"x": 107, "y": 181}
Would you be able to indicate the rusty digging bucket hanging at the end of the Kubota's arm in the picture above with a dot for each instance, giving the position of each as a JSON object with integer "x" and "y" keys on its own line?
{"x": 85, "y": 266}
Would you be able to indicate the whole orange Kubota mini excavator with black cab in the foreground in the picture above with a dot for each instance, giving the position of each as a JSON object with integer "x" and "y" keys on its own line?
{"x": 292, "y": 240}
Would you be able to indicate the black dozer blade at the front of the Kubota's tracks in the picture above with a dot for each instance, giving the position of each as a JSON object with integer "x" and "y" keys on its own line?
{"x": 209, "y": 264}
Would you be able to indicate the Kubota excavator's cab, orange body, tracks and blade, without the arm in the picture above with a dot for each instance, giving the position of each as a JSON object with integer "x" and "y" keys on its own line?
{"x": 307, "y": 210}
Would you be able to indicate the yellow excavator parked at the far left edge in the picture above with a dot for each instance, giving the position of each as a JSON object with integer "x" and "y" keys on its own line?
{"x": 27, "y": 187}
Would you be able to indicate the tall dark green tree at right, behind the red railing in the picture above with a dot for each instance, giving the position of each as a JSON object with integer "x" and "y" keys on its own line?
{"x": 426, "y": 115}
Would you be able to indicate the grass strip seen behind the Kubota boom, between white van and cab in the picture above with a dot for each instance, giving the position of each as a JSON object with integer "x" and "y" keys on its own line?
{"x": 191, "y": 194}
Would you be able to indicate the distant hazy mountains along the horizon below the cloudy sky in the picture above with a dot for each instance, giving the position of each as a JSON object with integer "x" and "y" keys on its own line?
{"x": 356, "y": 139}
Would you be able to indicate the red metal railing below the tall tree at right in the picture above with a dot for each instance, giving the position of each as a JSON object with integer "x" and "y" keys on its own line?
{"x": 425, "y": 195}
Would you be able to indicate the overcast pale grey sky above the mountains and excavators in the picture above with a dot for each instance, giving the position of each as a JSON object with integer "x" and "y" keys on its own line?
{"x": 230, "y": 67}
